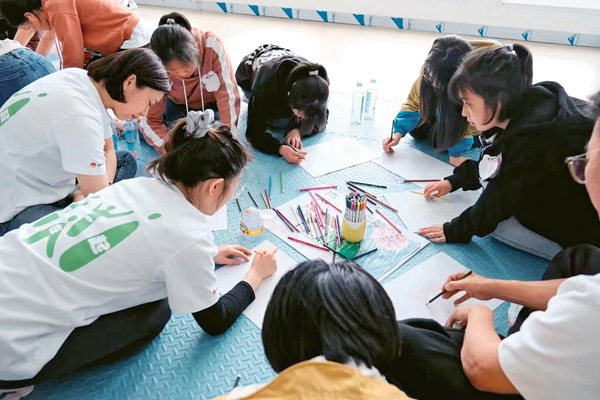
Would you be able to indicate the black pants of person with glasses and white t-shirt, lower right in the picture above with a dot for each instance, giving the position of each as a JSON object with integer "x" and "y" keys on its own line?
{"x": 430, "y": 367}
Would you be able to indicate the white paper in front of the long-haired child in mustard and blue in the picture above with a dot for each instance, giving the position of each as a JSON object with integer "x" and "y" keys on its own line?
{"x": 410, "y": 163}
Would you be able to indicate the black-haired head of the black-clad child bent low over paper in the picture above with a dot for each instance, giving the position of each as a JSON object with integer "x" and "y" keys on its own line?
{"x": 308, "y": 87}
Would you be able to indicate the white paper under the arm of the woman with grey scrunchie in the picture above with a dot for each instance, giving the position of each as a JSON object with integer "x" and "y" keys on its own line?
{"x": 229, "y": 276}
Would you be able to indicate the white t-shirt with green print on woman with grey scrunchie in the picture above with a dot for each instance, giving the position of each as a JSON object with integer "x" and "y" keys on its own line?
{"x": 134, "y": 242}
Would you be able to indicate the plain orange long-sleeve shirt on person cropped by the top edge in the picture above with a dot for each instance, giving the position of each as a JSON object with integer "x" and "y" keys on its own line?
{"x": 98, "y": 25}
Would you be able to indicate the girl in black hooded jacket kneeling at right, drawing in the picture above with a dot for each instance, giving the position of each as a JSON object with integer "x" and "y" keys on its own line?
{"x": 528, "y": 132}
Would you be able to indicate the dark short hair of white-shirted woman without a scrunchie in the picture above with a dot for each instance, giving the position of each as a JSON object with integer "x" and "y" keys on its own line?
{"x": 114, "y": 70}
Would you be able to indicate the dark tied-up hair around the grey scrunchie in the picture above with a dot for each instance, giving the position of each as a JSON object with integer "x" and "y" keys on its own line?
{"x": 191, "y": 161}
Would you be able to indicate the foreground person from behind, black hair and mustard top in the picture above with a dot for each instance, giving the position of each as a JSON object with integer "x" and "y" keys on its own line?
{"x": 329, "y": 331}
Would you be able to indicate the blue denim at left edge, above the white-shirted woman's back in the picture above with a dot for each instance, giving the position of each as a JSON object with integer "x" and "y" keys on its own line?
{"x": 20, "y": 67}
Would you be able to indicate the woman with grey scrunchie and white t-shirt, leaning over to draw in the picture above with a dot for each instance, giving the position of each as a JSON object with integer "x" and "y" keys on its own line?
{"x": 98, "y": 271}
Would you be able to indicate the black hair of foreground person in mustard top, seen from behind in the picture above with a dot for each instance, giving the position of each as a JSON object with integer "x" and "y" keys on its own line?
{"x": 338, "y": 311}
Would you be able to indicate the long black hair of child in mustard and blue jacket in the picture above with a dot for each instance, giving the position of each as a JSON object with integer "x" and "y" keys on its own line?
{"x": 437, "y": 111}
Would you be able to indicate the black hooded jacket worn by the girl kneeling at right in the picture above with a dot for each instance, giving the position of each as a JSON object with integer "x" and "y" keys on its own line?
{"x": 532, "y": 182}
